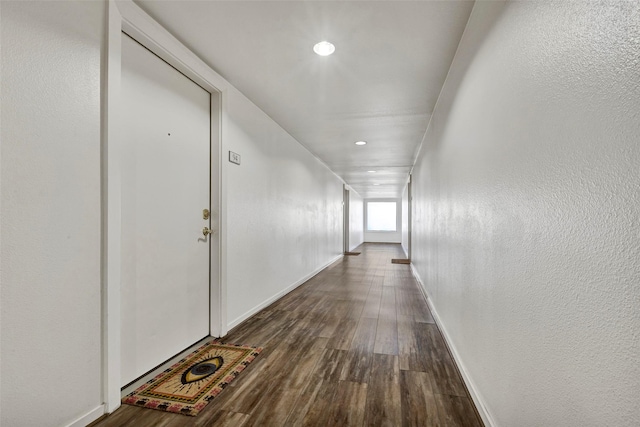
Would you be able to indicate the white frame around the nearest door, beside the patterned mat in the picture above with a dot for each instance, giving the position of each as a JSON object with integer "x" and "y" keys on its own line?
{"x": 125, "y": 16}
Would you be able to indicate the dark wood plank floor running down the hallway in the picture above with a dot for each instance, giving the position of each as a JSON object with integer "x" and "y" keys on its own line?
{"x": 356, "y": 345}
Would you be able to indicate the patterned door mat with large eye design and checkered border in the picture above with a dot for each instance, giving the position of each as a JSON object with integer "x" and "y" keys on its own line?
{"x": 190, "y": 384}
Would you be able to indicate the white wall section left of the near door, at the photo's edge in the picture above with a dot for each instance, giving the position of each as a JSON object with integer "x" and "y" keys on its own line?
{"x": 50, "y": 220}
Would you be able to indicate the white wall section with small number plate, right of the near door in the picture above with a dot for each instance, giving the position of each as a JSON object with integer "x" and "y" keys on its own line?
{"x": 284, "y": 209}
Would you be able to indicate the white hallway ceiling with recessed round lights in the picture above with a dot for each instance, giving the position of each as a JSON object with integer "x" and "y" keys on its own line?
{"x": 380, "y": 85}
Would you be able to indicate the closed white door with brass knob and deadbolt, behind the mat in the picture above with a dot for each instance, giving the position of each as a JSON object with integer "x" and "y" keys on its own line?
{"x": 165, "y": 188}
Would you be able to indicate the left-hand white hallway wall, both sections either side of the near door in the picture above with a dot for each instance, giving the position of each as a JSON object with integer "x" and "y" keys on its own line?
{"x": 284, "y": 210}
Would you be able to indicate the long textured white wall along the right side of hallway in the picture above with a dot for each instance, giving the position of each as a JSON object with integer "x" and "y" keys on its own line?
{"x": 526, "y": 211}
